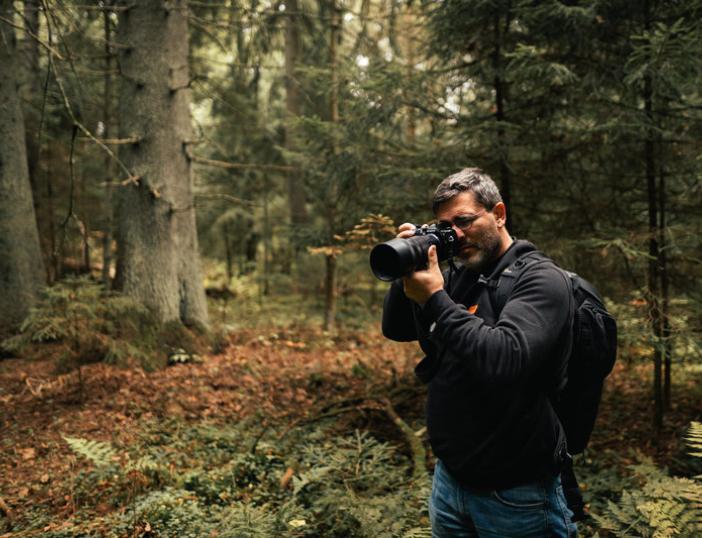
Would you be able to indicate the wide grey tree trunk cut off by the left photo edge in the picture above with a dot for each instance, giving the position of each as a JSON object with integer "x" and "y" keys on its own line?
{"x": 21, "y": 266}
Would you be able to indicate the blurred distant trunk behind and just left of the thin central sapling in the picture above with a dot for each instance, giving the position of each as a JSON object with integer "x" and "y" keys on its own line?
{"x": 296, "y": 191}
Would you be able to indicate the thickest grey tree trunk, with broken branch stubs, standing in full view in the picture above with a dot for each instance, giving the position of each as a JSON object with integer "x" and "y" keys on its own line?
{"x": 158, "y": 259}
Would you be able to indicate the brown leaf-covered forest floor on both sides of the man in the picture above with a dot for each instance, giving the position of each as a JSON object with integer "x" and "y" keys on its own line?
{"x": 283, "y": 377}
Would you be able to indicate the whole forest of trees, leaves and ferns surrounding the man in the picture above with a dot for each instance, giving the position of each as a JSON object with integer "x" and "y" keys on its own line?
{"x": 189, "y": 194}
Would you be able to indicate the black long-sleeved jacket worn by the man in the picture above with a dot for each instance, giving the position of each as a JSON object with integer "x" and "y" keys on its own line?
{"x": 488, "y": 412}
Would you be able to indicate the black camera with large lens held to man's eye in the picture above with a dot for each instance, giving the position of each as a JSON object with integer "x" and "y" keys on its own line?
{"x": 399, "y": 257}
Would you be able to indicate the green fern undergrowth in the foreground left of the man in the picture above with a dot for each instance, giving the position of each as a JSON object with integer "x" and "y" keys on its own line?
{"x": 241, "y": 480}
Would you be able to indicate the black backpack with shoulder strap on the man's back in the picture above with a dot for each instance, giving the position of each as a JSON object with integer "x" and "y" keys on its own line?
{"x": 592, "y": 356}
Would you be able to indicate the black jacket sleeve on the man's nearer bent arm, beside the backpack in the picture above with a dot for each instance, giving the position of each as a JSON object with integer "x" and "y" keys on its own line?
{"x": 531, "y": 324}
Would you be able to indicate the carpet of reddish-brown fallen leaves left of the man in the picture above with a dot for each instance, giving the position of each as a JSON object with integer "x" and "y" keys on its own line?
{"x": 282, "y": 374}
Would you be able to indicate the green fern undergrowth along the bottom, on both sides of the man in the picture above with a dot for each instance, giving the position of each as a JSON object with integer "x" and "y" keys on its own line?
{"x": 251, "y": 480}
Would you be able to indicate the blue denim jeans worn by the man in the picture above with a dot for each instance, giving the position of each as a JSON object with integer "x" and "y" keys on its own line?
{"x": 535, "y": 510}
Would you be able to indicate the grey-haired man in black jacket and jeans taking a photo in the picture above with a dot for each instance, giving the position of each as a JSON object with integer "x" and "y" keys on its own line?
{"x": 499, "y": 444}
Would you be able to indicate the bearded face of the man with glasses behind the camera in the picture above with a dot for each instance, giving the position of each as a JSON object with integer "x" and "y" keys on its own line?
{"x": 476, "y": 228}
